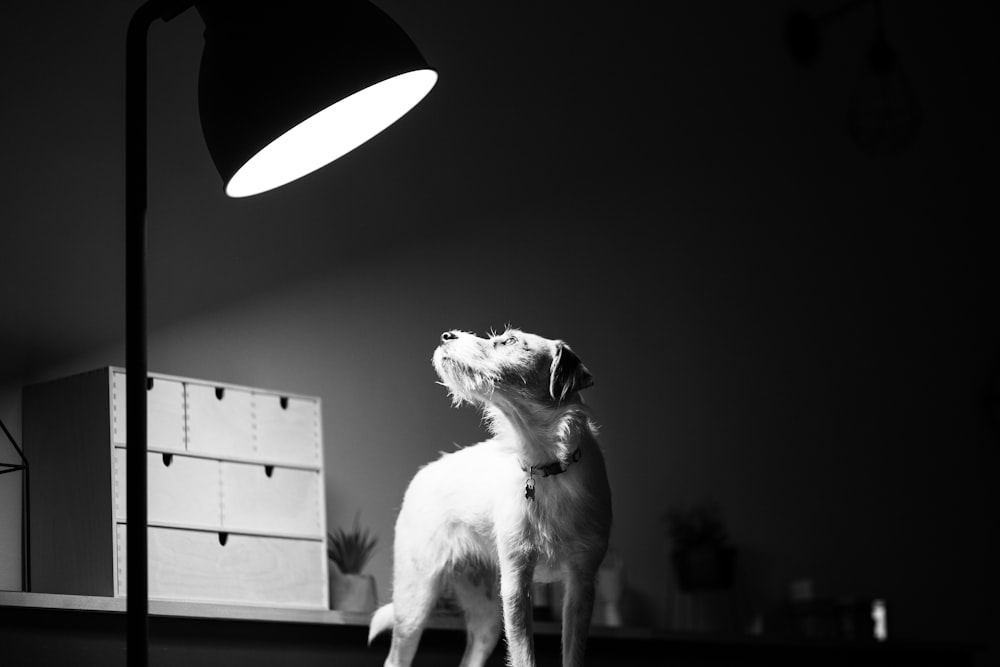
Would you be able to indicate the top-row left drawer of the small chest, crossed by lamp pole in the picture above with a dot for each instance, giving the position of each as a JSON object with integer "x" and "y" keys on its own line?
{"x": 164, "y": 409}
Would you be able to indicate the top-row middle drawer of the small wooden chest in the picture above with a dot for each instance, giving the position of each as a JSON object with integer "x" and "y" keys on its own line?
{"x": 219, "y": 421}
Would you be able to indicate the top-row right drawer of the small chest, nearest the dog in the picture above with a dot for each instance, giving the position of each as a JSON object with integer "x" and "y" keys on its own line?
{"x": 287, "y": 429}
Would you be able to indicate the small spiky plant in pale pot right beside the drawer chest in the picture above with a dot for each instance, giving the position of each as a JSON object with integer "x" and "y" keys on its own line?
{"x": 349, "y": 552}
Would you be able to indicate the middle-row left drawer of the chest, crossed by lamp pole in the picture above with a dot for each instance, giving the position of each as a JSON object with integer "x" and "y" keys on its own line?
{"x": 182, "y": 490}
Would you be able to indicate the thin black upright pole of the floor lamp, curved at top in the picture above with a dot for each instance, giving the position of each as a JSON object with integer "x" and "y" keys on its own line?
{"x": 136, "y": 370}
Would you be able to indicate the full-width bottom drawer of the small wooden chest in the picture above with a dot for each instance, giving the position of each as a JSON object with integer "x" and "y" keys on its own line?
{"x": 195, "y": 565}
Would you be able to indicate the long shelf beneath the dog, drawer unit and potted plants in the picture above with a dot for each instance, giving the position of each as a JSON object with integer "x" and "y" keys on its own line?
{"x": 39, "y": 628}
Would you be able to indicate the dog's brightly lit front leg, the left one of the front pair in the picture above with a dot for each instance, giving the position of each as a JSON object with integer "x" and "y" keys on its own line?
{"x": 516, "y": 571}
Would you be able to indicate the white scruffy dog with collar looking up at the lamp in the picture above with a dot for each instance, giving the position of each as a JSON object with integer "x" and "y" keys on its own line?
{"x": 530, "y": 504}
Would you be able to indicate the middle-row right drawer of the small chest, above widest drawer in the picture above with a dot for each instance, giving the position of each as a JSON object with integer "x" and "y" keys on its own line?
{"x": 258, "y": 498}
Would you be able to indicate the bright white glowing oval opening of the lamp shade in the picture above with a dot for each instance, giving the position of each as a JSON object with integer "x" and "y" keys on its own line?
{"x": 331, "y": 133}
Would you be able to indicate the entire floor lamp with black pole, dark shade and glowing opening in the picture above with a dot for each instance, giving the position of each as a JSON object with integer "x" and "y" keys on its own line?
{"x": 285, "y": 87}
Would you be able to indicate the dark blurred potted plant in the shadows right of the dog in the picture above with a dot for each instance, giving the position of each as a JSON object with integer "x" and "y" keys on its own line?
{"x": 703, "y": 557}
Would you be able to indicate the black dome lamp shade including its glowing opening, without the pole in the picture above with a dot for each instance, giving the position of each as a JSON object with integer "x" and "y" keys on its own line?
{"x": 288, "y": 86}
